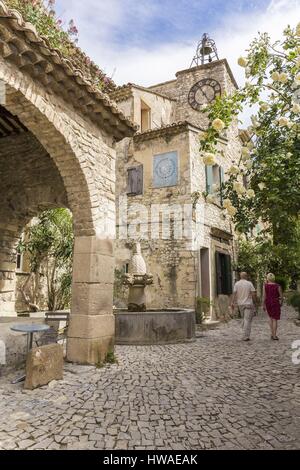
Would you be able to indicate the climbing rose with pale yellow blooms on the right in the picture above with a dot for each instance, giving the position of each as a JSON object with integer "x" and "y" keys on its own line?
{"x": 270, "y": 162}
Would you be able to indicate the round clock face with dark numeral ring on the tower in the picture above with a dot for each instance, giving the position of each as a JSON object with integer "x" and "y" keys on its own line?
{"x": 204, "y": 92}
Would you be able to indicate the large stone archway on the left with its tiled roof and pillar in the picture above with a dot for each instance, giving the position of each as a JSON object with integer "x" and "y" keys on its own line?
{"x": 71, "y": 129}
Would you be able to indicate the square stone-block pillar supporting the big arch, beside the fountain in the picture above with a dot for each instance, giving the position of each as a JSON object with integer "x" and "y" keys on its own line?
{"x": 92, "y": 323}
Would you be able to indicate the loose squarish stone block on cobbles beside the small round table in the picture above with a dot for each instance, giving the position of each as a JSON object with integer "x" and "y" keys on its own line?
{"x": 43, "y": 365}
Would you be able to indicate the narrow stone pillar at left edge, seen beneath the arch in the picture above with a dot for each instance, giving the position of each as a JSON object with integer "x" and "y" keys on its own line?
{"x": 8, "y": 242}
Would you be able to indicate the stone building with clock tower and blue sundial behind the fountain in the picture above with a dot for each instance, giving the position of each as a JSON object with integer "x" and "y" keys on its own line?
{"x": 162, "y": 165}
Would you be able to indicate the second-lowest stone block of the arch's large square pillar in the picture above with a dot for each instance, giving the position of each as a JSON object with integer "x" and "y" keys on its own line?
{"x": 86, "y": 326}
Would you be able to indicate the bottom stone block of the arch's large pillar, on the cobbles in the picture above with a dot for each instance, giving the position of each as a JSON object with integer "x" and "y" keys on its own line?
{"x": 89, "y": 351}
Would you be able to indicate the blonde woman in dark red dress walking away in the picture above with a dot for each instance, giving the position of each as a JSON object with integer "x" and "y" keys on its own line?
{"x": 272, "y": 301}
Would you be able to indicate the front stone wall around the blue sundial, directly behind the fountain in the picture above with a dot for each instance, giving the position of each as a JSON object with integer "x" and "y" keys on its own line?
{"x": 169, "y": 260}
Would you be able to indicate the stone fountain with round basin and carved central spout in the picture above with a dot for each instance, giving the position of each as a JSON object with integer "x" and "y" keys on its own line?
{"x": 138, "y": 325}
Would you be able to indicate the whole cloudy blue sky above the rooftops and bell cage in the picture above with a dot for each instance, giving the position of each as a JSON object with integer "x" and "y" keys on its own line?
{"x": 147, "y": 41}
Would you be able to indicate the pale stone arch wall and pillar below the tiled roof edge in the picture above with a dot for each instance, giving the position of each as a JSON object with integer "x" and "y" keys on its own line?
{"x": 65, "y": 159}
